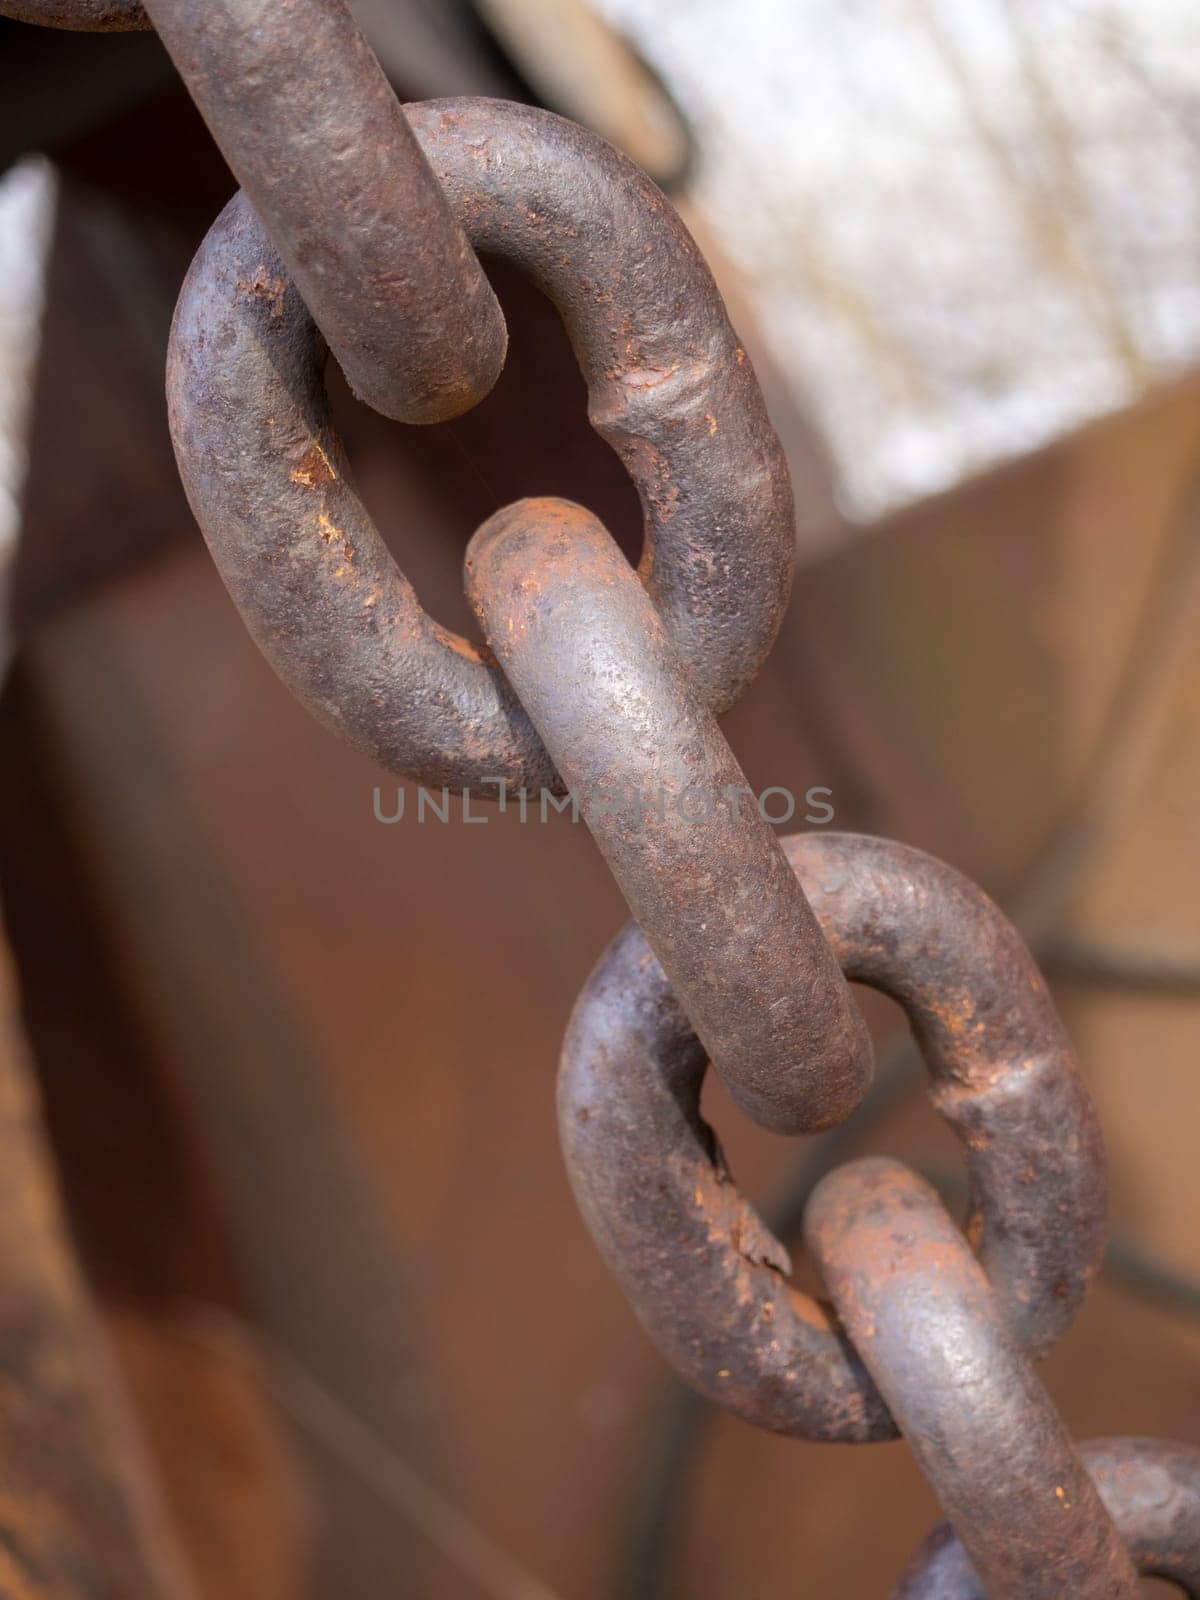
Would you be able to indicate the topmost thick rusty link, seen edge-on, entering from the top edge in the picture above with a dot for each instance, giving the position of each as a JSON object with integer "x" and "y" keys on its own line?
{"x": 316, "y": 137}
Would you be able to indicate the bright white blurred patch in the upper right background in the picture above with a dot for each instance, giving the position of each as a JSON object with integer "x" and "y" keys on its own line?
{"x": 969, "y": 225}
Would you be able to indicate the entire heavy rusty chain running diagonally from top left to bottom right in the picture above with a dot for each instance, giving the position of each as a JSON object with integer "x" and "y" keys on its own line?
{"x": 356, "y": 230}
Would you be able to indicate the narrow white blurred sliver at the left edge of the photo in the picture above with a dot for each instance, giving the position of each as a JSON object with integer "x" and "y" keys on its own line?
{"x": 26, "y": 218}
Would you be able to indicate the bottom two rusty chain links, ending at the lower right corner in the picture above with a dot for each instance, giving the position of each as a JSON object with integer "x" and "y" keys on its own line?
{"x": 1036, "y": 1518}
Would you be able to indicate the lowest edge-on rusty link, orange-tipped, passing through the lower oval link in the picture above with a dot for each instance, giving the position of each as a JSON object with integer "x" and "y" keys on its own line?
{"x": 919, "y": 1311}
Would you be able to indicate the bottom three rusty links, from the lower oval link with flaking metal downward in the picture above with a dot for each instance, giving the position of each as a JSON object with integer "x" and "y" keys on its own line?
{"x": 922, "y": 1338}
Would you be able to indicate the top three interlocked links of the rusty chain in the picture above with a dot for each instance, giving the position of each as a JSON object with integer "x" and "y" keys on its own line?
{"x": 343, "y": 234}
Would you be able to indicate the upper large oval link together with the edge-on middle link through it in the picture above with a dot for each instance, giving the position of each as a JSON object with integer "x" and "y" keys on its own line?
{"x": 633, "y": 673}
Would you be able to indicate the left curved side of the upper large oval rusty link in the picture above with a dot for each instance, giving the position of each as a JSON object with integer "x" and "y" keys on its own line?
{"x": 316, "y": 585}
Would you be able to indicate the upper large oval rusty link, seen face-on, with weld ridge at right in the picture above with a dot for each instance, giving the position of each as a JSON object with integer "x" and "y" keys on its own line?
{"x": 670, "y": 388}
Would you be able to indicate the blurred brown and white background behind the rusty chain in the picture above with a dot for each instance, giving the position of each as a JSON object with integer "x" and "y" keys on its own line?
{"x": 297, "y": 1066}
